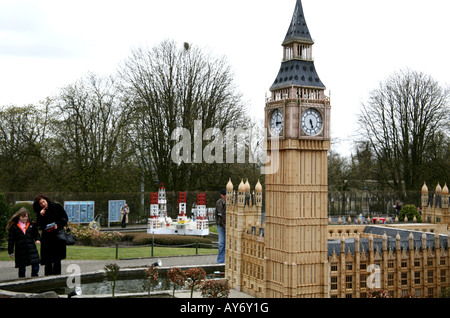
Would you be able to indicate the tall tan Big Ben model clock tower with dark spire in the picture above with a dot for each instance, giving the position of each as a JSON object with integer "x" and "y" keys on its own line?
{"x": 297, "y": 115}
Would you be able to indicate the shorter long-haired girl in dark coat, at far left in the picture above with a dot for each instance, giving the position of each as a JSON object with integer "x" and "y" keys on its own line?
{"x": 23, "y": 235}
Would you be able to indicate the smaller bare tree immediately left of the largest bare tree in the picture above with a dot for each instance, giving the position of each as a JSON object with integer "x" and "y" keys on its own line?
{"x": 90, "y": 134}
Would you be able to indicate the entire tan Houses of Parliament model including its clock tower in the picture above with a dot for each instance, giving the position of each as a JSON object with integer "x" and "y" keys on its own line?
{"x": 294, "y": 252}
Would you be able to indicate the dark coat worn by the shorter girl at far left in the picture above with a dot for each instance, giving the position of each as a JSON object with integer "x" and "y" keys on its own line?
{"x": 23, "y": 245}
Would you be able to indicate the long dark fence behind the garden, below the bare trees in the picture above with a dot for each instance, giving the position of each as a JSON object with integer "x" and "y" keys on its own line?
{"x": 339, "y": 203}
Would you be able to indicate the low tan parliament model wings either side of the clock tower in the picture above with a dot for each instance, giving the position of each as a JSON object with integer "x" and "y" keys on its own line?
{"x": 401, "y": 259}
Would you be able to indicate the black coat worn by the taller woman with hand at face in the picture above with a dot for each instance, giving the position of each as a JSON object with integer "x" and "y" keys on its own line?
{"x": 52, "y": 249}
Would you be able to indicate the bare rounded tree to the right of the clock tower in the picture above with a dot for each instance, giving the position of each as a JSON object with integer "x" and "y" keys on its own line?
{"x": 402, "y": 119}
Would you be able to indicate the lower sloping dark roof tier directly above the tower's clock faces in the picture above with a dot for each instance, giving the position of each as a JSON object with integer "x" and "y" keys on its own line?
{"x": 297, "y": 73}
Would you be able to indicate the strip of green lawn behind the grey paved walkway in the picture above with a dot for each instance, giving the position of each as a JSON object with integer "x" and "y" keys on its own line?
{"x": 107, "y": 253}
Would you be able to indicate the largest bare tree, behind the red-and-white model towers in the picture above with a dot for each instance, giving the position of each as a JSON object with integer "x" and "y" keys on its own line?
{"x": 174, "y": 87}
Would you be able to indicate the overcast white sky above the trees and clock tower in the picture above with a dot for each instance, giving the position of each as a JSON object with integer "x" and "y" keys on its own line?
{"x": 47, "y": 44}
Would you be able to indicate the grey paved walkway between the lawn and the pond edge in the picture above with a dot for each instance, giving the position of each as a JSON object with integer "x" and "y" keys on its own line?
{"x": 9, "y": 274}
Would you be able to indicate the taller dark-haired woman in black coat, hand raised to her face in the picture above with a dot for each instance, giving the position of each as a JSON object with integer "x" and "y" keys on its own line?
{"x": 51, "y": 218}
